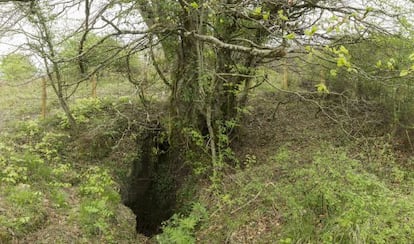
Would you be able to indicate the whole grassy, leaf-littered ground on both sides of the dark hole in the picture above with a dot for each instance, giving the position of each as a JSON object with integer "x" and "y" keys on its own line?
{"x": 299, "y": 178}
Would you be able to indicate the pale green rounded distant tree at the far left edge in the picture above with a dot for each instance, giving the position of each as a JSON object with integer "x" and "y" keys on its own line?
{"x": 17, "y": 67}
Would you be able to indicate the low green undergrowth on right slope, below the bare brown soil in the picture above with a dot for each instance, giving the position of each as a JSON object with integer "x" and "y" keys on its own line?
{"x": 325, "y": 197}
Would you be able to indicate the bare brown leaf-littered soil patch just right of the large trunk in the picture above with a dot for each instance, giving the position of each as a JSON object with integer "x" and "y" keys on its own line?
{"x": 295, "y": 124}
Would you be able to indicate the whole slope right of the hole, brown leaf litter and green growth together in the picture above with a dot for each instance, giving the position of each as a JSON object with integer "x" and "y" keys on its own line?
{"x": 305, "y": 182}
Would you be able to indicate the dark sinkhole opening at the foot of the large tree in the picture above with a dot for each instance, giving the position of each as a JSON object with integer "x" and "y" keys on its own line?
{"x": 150, "y": 193}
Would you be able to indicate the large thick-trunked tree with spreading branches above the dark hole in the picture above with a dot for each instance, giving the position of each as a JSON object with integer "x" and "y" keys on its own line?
{"x": 214, "y": 47}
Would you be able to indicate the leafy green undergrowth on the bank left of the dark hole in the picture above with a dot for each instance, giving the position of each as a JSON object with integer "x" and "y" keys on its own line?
{"x": 45, "y": 181}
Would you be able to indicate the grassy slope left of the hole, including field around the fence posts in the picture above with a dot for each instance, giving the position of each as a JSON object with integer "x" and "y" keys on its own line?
{"x": 55, "y": 188}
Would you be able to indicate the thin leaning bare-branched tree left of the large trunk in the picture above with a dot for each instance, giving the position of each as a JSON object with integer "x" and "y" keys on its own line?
{"x": 41, "y": 24}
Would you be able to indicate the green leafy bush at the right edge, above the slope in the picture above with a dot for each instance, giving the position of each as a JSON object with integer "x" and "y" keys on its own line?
{"x": 378, "y": 79}
